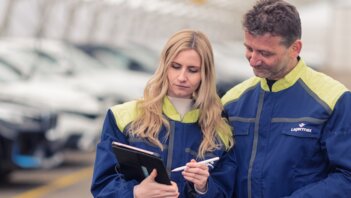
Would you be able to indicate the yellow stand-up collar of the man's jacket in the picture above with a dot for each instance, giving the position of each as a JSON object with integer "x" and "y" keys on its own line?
{"x": 288, "y": 80}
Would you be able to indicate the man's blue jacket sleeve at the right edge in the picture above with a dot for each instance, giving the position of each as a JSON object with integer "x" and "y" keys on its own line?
{"x": 336, "y": 142}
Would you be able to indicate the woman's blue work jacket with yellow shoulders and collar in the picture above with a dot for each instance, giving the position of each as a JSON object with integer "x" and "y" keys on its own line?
{"x": 179, "y": 148}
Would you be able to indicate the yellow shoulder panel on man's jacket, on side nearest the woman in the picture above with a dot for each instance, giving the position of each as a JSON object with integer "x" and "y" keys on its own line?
{"x": 238, "y": 90}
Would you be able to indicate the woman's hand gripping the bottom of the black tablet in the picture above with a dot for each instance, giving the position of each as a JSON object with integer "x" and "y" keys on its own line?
{"x": 150, "y": 188}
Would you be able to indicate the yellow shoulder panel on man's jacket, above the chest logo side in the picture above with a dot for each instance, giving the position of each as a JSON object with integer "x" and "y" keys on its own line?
{"x": 323, "y": 86}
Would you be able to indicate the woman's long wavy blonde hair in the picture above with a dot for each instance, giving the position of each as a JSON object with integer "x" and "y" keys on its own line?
{"x": 150, "y": 118}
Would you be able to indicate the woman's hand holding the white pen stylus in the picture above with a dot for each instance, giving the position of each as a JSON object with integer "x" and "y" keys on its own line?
{"x": 197, "y": 174}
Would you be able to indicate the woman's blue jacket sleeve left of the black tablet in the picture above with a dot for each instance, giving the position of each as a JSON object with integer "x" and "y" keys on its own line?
{"x": 107, "y": 182}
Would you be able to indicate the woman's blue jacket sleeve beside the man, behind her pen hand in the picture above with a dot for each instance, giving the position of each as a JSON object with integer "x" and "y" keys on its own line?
{"x": 222, "y": 178}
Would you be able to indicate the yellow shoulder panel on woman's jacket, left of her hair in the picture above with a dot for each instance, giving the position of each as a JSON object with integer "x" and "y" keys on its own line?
{"x": 124, "y": 114}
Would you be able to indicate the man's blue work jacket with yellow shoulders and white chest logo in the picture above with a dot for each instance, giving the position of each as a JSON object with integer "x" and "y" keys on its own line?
{"x": 293, "y": 140}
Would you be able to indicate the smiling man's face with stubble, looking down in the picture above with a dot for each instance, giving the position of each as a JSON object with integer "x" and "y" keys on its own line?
{"x": 268, "y": 57}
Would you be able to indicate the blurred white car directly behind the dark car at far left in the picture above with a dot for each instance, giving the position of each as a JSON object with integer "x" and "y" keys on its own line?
{"x": 80, "y": 115}
